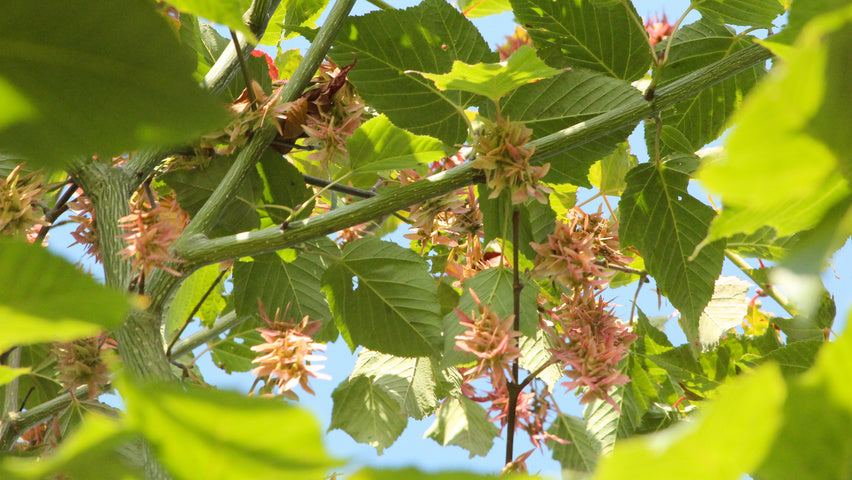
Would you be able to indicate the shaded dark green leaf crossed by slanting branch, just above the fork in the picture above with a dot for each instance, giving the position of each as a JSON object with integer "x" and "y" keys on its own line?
{"x": 194, "y": 187}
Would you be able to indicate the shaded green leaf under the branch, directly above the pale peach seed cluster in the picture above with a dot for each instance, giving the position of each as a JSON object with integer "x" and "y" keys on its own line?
{"x": 293, "y": 287}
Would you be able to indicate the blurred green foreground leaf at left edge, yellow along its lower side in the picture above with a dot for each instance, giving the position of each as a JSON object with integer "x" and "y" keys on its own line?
{"x": 44, "y": 298}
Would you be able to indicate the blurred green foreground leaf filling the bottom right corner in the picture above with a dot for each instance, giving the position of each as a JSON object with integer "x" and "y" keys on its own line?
{"x": 816, "y": 417}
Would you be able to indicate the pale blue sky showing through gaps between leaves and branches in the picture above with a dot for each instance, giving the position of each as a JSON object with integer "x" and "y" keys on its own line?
{"x": 411, "y": 449}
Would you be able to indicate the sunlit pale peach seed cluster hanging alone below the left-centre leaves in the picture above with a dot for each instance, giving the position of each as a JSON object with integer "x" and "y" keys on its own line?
{"x": 285, "y": 359}
